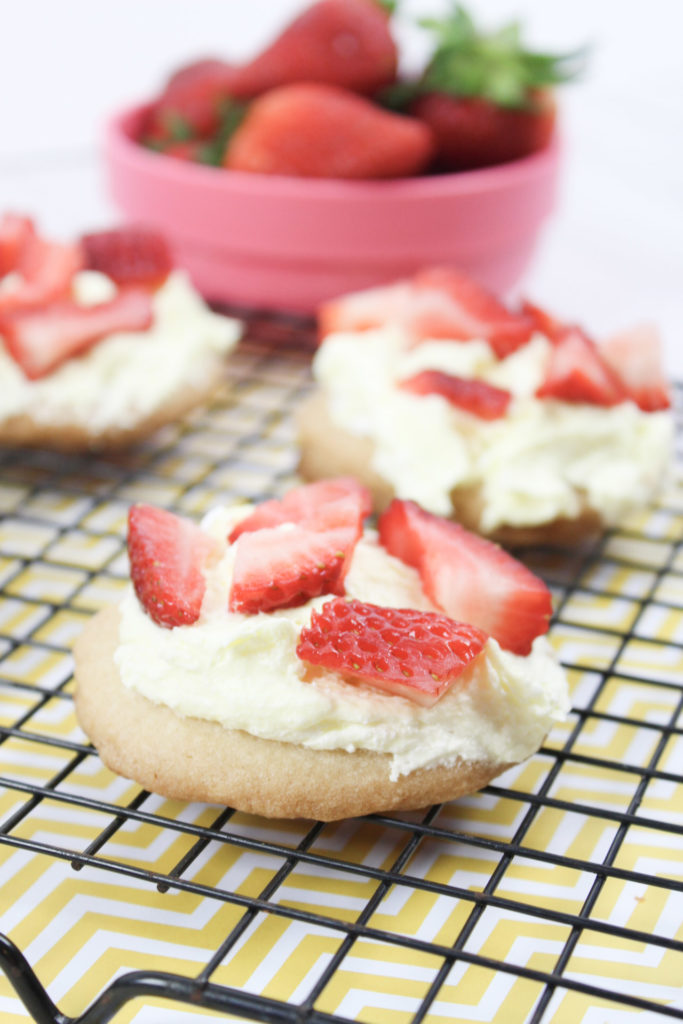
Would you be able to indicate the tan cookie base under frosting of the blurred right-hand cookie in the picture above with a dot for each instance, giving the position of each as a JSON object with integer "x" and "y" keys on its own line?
{"x": 327, "y": 450}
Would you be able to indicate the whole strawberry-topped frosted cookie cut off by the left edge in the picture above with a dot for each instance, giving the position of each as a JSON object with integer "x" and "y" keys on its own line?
{"x": 102, "y": 340}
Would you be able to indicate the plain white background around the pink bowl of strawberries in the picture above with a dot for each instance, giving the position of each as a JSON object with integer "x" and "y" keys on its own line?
{"x": 613, "y": 254}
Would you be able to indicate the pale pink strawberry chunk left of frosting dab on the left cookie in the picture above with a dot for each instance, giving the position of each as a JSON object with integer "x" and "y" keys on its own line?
{"x": 48, "y": 270}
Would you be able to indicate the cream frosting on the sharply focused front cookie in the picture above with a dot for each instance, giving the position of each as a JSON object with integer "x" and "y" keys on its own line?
{"x": 243, "y": 672}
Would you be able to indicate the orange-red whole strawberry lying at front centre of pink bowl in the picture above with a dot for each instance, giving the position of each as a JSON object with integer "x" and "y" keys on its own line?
{"x": 322, "y": 132}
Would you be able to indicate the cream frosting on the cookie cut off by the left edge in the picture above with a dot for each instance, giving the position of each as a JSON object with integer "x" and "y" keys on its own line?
{"x": 129, "y": 375}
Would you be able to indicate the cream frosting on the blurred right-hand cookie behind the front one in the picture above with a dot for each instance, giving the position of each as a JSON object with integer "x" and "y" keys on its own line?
{"x": 544, "y": 460}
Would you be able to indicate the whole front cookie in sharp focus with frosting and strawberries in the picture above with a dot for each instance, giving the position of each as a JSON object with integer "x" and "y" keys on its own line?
{"x": 289, "y": 661}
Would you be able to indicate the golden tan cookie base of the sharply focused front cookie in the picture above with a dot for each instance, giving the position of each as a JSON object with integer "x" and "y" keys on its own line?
{"x": 193, "y": 759}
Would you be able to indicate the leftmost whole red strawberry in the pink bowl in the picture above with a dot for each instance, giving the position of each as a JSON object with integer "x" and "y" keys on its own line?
{"x": 192, "y": 104}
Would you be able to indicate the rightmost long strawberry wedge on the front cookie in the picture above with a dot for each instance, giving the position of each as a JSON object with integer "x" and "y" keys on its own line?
{"x": 471, "y": 579}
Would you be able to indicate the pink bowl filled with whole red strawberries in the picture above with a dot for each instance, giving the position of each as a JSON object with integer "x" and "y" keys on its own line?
{"x": 311, "y": 170}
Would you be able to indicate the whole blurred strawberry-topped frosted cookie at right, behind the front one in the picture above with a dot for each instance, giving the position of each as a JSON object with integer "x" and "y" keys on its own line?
{"x": 507, "y": 419}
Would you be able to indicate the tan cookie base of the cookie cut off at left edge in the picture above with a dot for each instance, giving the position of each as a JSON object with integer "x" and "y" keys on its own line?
{"x": 25, "y": 432}
